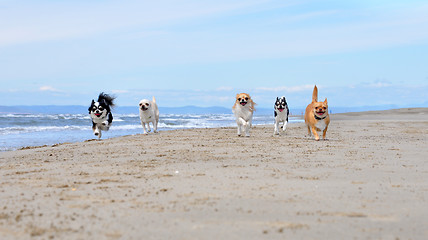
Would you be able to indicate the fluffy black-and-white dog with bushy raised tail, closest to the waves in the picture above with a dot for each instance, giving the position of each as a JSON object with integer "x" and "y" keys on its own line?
{"x": 100, "y": 112}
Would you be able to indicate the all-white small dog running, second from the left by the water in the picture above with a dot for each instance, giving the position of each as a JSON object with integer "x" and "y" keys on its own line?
{"x": 149, "y": 113}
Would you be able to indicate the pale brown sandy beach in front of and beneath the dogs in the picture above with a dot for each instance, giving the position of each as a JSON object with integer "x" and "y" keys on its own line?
{"x": 368, "y": 181}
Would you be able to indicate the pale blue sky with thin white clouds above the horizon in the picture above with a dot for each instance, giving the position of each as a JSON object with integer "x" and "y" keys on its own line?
{"x": 202, "y": 53}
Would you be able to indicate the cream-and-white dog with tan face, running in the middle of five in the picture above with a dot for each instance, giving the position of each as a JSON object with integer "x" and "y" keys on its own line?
{"x": 243, "y": 110}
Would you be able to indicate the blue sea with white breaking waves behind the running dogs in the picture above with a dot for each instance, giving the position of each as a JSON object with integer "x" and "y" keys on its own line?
{"x": 26, "y": 130}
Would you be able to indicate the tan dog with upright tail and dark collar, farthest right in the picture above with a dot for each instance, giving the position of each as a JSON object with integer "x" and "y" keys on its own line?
{"x": 316, "y": 116}
